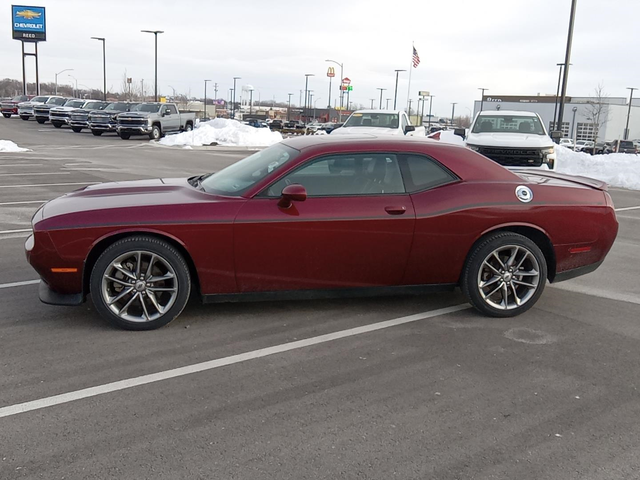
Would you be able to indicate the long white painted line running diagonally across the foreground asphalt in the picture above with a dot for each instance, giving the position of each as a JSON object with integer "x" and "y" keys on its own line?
{"x": 220, "y": 362}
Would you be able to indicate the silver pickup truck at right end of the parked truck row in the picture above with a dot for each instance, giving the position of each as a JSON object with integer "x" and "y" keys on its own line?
{"x": 155, "y": 120}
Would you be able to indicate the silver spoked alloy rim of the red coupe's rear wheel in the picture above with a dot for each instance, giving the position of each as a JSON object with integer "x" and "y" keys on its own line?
{"x": 509, "y": 277}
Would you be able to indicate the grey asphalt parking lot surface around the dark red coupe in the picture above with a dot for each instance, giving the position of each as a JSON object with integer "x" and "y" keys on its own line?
{"x": 407, "y": 387}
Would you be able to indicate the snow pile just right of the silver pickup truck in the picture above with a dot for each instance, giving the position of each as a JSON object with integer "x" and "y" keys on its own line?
{"x": 225, "y": 132}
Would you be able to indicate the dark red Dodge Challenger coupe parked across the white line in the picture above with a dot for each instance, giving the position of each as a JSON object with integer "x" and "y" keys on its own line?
{"x": 322, "y": 217}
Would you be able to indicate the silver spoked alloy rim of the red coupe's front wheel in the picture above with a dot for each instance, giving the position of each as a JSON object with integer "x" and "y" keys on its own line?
{"x": 139, "y": 286}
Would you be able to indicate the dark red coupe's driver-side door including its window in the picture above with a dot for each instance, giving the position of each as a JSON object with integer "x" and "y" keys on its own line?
{"x": 354, "y": 229}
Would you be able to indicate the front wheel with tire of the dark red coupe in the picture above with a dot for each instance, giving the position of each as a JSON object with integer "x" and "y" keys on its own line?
{"x": 140, "y": 283}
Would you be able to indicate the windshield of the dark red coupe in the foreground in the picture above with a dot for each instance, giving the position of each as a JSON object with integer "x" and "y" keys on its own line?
{"x": 237, "y": 178}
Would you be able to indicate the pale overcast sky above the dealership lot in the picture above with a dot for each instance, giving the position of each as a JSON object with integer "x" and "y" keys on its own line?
{"x": 508, "y": 46}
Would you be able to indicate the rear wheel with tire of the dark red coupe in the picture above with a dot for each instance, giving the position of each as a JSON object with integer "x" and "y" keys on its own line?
{"x": 504, "y": 275}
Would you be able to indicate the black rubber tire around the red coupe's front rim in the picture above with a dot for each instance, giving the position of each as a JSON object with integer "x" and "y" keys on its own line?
{"x": 163, "y": 251}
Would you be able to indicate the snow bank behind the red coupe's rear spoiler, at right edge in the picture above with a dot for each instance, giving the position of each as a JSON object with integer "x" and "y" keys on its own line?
{"x": 617, "y": 169}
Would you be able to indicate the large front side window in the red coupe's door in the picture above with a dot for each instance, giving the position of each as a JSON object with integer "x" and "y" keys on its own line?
{"x": 338, "y": 175}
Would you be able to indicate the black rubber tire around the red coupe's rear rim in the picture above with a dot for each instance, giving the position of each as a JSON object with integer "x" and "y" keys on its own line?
{"x": 472, "y": 273}
